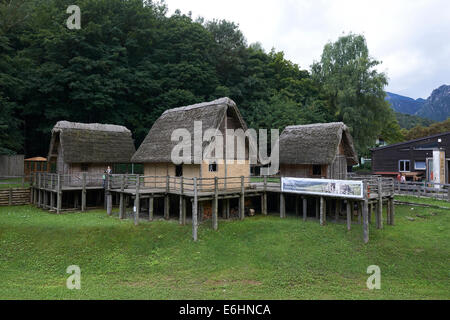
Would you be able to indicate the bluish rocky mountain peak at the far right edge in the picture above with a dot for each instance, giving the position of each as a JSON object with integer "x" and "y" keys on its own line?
{"x": 437, "y": 106}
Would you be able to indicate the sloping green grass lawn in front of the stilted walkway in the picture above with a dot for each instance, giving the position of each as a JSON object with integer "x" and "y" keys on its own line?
{"x": 258, "y": 258}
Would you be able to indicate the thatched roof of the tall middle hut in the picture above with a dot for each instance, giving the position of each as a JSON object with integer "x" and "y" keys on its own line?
{"x": 157, "y": 146}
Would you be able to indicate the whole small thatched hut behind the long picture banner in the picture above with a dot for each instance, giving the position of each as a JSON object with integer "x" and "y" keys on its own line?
{"x": 322, "y": 150}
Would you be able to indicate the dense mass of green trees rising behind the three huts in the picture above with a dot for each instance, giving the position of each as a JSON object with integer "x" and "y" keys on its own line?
{"x": 130, "y": 61}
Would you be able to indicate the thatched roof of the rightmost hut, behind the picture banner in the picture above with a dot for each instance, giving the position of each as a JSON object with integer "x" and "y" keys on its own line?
{"x": 316, "y": 144}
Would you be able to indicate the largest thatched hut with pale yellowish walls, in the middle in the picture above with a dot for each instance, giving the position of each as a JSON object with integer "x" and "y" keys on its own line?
{"x": 155, "y": 151}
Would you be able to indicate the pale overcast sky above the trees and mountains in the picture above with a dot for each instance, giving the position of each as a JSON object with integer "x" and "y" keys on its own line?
{"x": 410, "y": 37}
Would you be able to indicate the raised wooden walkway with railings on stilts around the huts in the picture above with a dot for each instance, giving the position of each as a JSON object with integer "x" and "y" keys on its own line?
{"x": 48, "y": 189}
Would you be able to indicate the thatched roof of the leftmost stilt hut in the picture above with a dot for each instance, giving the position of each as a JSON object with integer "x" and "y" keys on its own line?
{"x": 93, "y": 142}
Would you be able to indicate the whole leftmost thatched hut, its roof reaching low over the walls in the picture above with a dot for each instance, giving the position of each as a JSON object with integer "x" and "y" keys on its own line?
{"x": 81, "y": 147}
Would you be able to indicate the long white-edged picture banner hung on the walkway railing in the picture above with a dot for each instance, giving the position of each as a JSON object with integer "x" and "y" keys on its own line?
{"x": 325, "y": 187}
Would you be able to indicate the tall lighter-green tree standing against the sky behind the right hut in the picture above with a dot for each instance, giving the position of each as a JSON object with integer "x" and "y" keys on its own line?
{"x": 355, "y": 90}
